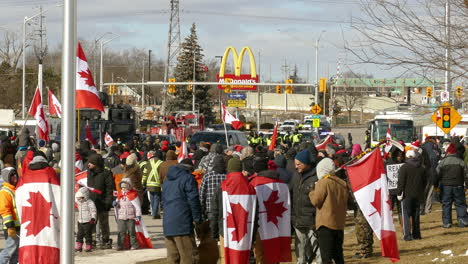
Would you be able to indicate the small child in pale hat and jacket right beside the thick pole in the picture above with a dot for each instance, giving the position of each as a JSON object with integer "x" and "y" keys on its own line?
{"x": 86, "y": 219}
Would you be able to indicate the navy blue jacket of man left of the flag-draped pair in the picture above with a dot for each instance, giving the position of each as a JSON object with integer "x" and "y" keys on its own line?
{"x": 181, "y": 202}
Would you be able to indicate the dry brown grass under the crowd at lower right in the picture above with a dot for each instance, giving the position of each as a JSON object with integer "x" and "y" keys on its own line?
{"x": 435, "y": 239}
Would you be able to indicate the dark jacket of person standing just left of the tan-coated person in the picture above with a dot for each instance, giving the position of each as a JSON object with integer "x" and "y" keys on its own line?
{"x": 303, "y": 212}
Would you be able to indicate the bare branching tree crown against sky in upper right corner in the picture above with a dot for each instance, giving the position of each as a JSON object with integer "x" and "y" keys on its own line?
{"x": 411, "y": 34}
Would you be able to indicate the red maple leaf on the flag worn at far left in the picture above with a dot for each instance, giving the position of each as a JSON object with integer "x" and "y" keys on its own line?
{"x": 38, "y": 213}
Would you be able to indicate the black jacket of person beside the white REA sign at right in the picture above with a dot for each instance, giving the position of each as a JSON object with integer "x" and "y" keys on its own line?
{"x": 412, "y": 179}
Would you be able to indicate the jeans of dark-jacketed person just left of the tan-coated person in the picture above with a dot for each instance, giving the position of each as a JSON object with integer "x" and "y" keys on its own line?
{"x": 303, "y": 251}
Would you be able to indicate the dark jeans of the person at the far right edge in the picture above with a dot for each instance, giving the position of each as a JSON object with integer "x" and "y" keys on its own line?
{"x": 452, "y": 194}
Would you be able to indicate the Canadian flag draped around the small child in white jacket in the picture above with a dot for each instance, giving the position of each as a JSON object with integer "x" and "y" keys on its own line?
{"x": 142, "y": 235}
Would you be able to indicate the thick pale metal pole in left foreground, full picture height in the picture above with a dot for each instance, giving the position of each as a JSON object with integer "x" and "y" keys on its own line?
{"x": 68, "y": 132}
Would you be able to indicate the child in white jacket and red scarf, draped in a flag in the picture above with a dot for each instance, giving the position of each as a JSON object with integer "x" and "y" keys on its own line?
{"x": 128, "y": 211}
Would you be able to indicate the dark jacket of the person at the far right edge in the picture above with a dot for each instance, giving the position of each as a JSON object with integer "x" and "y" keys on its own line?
{"x": 452, "y": 171}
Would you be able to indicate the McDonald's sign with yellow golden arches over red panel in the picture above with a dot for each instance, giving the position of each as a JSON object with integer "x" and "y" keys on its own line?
{"x": 237, "y": 80}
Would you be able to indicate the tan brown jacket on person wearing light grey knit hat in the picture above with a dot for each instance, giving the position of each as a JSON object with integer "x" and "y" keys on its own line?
{"x": 330, "y": 197}
